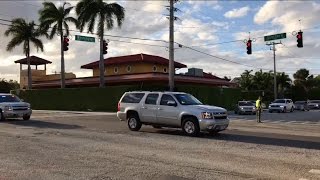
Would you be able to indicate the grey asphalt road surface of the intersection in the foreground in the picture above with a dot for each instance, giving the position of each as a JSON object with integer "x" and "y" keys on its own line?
{"x": 76, "y": 145}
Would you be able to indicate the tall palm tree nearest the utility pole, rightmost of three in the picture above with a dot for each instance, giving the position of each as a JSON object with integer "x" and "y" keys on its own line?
{"x": 89, "y": 11}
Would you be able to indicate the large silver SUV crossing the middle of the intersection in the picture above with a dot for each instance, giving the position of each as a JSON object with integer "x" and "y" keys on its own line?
{"x": 171, "y": 109}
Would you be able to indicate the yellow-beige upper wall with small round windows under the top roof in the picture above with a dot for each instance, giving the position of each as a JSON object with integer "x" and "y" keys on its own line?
{"x": 135, "y": 68}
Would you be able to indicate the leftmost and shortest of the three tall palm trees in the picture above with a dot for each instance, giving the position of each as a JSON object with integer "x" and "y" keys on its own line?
{"x": 26, "y": 33}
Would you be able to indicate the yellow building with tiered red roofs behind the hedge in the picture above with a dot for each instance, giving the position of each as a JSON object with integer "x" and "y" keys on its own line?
{"x": 136, "y": 69}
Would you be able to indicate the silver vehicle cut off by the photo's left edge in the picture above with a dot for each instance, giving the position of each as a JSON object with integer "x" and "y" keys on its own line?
{"x": 13, "y": 107}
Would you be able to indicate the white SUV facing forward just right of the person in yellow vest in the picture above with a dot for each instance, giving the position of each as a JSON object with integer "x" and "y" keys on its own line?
{"x": 281, "y": 105}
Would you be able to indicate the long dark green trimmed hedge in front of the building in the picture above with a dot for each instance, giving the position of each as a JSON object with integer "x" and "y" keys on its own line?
{"x": 106, "y": 99}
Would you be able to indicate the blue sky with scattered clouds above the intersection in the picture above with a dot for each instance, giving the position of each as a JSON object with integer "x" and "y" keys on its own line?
{"x": 200, "y": 24}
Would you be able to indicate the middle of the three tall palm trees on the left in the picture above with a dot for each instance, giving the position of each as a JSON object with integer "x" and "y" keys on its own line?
{"x": 57, "y": 18}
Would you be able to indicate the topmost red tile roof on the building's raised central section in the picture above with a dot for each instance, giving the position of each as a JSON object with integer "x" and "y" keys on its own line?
{"x": 136, "y": 58}
